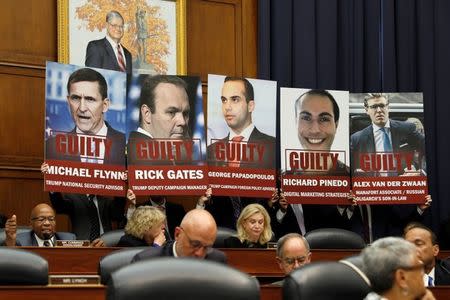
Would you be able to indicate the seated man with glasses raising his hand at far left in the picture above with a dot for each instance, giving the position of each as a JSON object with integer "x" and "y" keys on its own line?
{"x": 43, "y": 230}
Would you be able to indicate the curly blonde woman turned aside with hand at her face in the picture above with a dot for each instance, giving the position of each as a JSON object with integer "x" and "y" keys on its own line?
{"x": 146, "y": 227}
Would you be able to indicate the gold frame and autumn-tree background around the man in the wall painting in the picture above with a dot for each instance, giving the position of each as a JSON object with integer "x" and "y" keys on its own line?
{"x": 154, "y": 32}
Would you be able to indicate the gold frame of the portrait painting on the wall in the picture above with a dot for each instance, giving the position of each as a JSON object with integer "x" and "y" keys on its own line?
{"x": 64, "y": 50}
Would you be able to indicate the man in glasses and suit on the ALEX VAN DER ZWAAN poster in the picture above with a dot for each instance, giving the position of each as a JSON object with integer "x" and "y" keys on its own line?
{"x": 385, "y": 135}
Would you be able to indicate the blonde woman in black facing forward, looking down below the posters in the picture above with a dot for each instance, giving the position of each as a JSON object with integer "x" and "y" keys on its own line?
{"x": 253, "y": 228}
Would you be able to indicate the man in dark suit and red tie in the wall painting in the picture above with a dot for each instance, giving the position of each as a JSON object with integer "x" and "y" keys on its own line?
{"x": 108, "y": 53}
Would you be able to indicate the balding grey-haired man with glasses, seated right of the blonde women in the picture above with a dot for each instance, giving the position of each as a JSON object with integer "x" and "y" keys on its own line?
{"x": 292, "y": 252}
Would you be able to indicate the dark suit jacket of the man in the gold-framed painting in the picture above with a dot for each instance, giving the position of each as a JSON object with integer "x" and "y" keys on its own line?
{"x": 100, "y": 54}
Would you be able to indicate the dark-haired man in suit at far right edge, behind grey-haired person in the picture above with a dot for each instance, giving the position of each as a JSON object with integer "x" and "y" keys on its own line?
{"x": 437, "y": 272}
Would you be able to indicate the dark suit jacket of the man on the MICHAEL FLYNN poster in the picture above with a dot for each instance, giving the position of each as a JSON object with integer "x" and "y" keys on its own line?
{"x": 116, "y": 157}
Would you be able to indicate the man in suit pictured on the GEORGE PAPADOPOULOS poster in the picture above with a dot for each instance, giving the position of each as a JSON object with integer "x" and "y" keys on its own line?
{"x": 238, "y": 104}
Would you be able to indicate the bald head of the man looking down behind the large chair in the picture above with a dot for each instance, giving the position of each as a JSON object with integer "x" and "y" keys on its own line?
{"x": 196, "y": 234}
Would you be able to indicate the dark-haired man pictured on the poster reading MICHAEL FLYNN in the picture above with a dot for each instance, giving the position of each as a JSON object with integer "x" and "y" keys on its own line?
{"x": 87, "y": 99}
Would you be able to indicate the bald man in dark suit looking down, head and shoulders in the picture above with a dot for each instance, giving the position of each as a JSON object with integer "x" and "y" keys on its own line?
{"x": 193, "y": 238}
